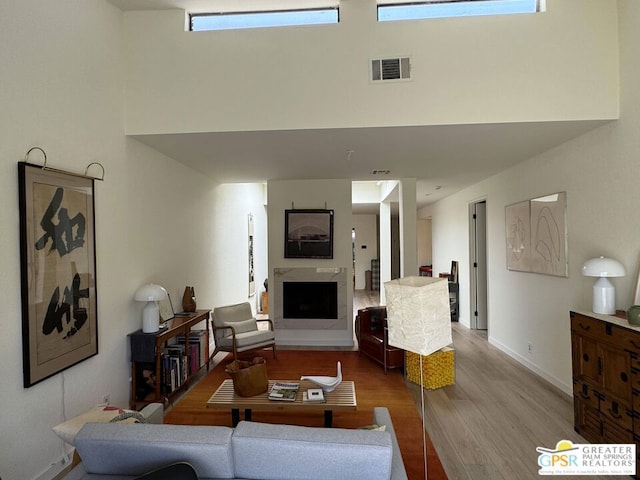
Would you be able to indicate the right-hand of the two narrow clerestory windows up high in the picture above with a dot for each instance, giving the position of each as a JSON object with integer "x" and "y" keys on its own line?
{"x": 390, "y": 10}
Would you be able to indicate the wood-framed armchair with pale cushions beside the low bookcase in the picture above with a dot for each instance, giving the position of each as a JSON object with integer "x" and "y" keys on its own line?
{"x": 235, "y": 329}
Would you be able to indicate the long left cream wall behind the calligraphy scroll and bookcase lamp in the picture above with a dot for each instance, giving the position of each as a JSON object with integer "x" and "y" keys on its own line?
{"x": 62, "y": 89}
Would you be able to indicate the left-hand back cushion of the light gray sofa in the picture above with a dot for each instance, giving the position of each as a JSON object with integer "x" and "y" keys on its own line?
{"x": 130, "y": 449}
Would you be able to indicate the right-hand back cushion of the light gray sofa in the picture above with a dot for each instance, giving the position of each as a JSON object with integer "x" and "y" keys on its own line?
{"x": 266, "y": 451}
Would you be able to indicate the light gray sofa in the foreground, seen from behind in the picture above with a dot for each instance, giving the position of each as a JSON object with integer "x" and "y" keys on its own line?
{"x": 259, "y": 451}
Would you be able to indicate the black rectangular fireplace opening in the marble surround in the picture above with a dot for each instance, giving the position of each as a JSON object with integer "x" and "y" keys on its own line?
{"x": 310, "y": 300}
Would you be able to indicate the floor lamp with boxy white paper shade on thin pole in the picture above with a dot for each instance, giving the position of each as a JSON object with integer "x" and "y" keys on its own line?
{"x": 419, "y": 321}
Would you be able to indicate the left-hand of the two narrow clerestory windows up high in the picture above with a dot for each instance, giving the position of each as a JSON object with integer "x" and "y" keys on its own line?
{"x": 280, "y": 18}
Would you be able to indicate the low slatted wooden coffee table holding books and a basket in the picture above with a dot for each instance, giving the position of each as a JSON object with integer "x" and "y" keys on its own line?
{"x": 343, "y": 398}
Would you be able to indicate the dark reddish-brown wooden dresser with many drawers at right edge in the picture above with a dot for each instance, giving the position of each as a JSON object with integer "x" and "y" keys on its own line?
{"x": 606, "y": 378}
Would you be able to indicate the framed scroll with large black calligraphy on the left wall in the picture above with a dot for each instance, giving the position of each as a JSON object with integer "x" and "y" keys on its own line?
{"x": 57, "y": 256}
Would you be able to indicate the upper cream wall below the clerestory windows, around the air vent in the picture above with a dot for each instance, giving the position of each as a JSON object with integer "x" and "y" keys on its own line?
{"x": 557, "y": 65}
